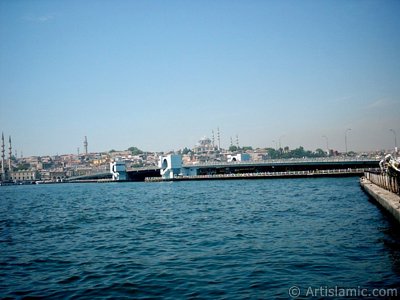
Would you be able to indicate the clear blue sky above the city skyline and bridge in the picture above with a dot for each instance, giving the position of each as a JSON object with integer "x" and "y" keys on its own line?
{"x": 160, "y": 75}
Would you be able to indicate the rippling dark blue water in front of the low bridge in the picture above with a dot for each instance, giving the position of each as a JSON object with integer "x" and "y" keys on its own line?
{"x": 211, "y": 239}
